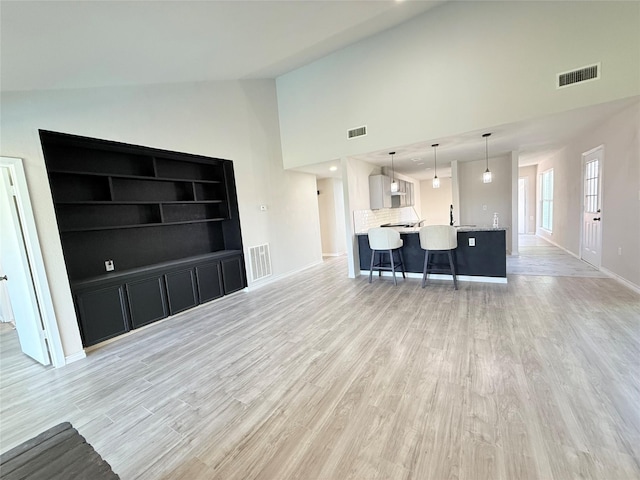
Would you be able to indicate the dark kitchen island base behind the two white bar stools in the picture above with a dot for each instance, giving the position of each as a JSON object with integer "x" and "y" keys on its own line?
{"x": 486, "y": 261}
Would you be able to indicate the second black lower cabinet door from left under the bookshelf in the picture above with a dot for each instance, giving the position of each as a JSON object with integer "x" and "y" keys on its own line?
{"x": 147, "y": 301}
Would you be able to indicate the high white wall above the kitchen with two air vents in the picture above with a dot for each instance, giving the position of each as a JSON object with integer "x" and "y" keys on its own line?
{"x": 460, "y": 67}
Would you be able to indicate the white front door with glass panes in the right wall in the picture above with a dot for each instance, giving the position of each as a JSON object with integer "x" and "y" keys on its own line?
{"x": 591, "y": 250}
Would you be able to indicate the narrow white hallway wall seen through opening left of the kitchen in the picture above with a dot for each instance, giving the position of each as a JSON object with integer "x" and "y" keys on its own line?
{"x": 332, "y": 216}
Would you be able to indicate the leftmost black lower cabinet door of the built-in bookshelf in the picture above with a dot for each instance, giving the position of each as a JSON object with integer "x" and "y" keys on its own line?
{"x": 102, "y": 314}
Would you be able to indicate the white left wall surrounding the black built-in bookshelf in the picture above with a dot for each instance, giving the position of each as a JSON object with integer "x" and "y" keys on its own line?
{"x": 236, "y": 120}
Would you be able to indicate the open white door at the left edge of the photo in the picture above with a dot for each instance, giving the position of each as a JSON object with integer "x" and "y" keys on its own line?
{"x": 19, "y": 283}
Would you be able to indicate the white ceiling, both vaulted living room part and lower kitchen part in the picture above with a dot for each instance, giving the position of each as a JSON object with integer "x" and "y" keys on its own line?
{"x": 55, "y": 44}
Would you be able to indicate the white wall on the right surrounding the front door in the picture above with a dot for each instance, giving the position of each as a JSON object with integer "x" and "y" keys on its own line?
{"x": 620, "y": 136}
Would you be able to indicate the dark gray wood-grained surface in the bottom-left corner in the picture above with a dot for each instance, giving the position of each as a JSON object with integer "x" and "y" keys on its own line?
{"x": 56, "y": 454}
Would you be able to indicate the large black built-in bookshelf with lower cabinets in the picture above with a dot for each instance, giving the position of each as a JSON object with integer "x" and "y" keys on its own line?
{"x": 168, "y": 221}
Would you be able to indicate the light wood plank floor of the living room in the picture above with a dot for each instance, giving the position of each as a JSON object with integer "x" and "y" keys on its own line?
{"x": 323, "y": 377}
